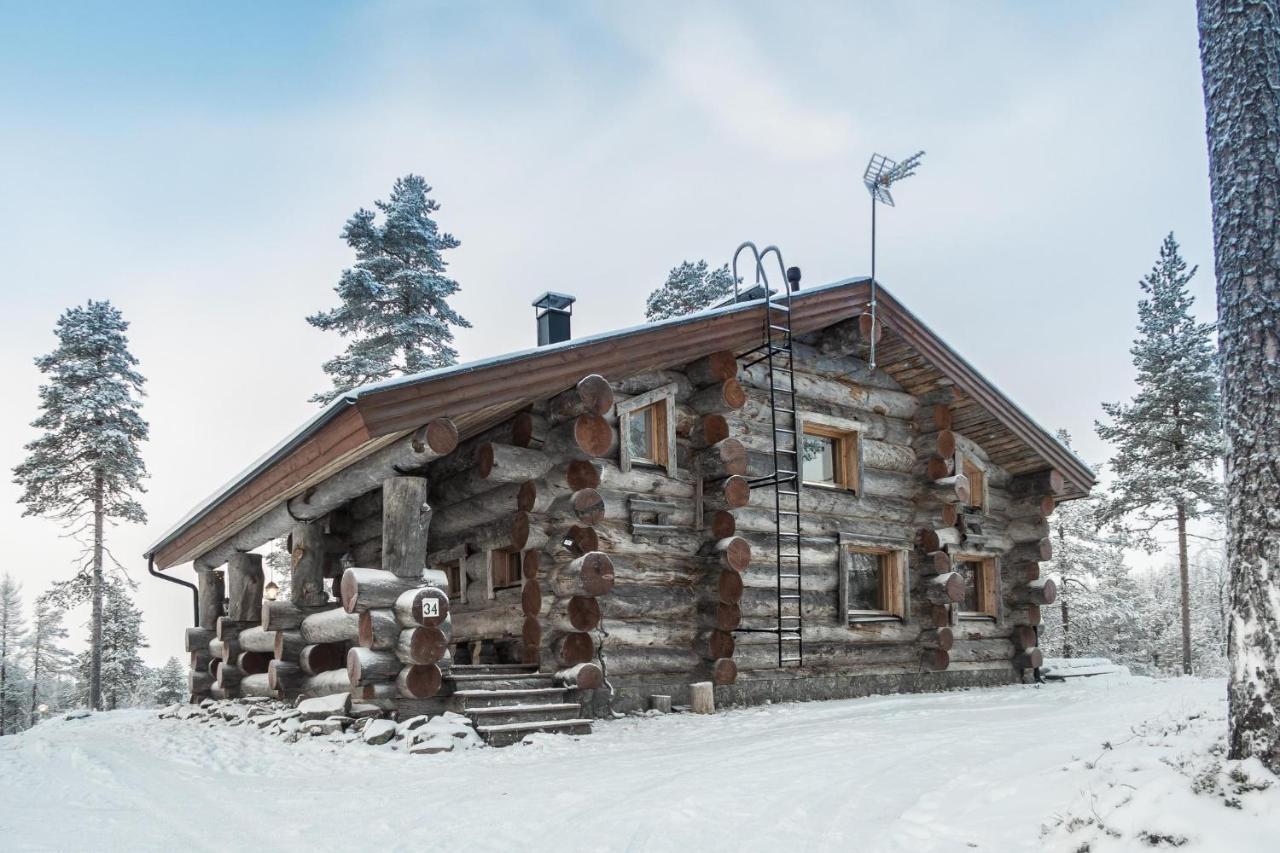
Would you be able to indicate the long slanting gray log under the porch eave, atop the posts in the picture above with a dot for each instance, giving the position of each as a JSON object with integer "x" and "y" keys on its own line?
{"x": 414, "y": 451}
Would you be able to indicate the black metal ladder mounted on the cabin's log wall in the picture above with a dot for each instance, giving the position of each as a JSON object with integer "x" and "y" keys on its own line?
{"x": 785, "y": 478}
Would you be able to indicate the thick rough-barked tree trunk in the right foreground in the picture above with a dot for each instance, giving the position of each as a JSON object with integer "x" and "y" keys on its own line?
{"x": 1240, "y": 53}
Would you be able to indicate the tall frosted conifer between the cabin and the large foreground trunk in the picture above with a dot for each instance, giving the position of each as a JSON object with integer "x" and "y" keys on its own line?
{"x": 1168, "y": 440}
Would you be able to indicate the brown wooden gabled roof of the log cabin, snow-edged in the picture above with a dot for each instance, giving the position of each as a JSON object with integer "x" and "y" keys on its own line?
{"x": 483, "y": 394}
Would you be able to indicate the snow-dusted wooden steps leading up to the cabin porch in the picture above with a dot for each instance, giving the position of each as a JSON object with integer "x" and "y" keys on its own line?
{"x": 510, "y": 701}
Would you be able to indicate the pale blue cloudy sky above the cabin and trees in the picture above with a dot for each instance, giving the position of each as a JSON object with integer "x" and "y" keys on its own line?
{"x": 196, "y": 163}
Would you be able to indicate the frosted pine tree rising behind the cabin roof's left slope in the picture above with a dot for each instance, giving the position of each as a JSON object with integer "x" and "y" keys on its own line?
{"x": 394, "y": 302}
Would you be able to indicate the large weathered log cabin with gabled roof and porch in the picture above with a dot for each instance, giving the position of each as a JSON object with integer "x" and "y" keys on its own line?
{"x": 733, "y": 505}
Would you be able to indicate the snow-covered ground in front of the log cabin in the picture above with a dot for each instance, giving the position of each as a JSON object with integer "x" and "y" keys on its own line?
{"x": 1002, "y": 770}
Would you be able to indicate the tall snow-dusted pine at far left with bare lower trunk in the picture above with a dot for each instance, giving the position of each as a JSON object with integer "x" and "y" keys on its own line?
{"x": 86, "y": 469}
